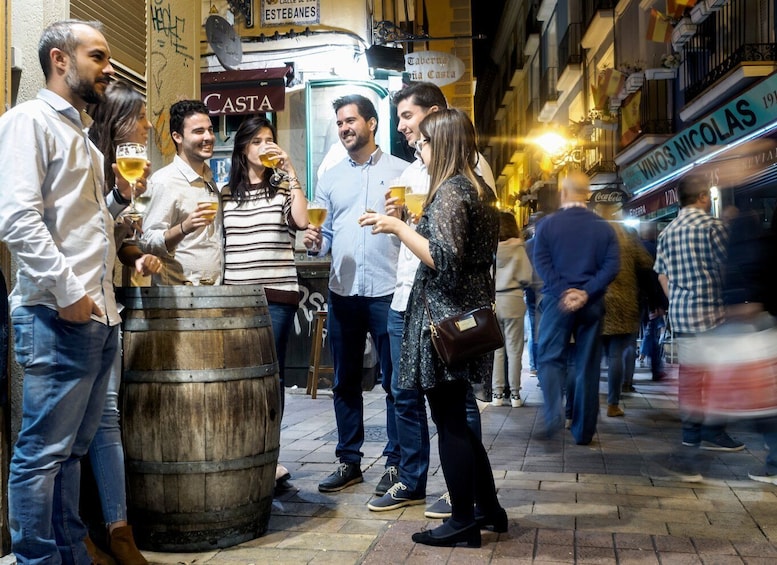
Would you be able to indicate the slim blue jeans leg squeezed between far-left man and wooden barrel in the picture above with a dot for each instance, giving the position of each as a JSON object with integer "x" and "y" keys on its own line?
{"x": 106, "y": 452}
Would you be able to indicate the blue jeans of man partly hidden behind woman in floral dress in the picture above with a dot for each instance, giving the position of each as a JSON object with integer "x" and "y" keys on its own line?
{"x": 412, "y": 448}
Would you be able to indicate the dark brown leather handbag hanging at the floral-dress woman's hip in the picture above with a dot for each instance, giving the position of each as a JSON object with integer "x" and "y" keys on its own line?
{"x": 464, "y": 337}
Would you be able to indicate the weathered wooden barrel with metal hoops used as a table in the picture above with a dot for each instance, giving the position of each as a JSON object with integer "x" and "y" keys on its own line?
{"x": 200, "y": 415}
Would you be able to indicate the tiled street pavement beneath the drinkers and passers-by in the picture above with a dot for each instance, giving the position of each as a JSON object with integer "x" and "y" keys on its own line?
{"x": 566, "y": 503}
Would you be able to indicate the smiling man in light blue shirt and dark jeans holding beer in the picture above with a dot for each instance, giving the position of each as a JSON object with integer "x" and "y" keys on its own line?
{"x": 361, "y": 281}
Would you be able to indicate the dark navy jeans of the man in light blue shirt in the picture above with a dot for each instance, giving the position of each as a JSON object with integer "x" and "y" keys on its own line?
{"x": 348, "y": 321}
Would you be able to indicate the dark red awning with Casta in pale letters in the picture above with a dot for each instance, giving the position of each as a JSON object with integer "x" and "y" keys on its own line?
{"x": 245, "y": 92}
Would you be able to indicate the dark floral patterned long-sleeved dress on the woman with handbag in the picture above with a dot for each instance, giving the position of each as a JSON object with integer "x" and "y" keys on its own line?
{"x": 462, "y": 231}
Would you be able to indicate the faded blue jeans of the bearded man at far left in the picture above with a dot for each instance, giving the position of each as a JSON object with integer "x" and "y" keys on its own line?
{"x": 66, "y": 368}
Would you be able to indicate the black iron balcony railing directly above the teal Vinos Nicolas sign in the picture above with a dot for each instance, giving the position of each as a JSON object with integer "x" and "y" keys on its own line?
{"x": 723, "y": 41}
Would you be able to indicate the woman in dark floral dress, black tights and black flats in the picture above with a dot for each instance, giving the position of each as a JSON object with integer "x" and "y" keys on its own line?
{"x": 455, "y": 239}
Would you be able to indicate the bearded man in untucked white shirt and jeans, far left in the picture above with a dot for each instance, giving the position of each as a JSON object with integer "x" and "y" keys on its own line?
{"x": 54, "y": 218}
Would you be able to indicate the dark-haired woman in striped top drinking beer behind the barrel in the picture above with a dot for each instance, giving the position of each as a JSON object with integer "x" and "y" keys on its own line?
{"x": 260, "y": 222}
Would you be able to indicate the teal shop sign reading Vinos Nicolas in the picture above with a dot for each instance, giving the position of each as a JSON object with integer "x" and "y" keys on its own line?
{"x": 744, "y": 115}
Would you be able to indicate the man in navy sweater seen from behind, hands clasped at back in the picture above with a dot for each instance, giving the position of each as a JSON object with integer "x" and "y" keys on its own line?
{"x": 576, "y": 255}
